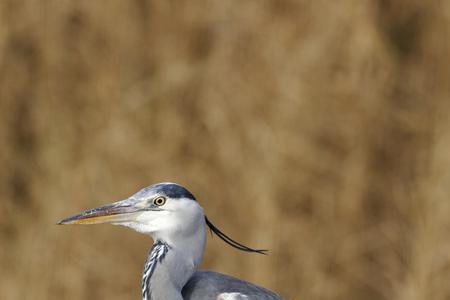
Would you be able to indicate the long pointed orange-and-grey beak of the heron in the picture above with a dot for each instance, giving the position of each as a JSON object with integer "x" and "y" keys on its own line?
{"x": 117, "y": 212}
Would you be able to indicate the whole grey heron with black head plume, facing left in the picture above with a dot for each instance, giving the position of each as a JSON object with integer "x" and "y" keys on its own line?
{"x": 171, "y": 215}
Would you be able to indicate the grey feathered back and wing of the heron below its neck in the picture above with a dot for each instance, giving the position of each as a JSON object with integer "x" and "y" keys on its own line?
{"x": 206, "y": 285}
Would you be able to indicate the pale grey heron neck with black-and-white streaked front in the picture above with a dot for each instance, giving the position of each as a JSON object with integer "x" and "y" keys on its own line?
{"x": 170, "y": 264}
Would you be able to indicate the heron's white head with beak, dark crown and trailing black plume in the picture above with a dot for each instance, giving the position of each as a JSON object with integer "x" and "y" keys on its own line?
{"x": 160, "y": 210}
